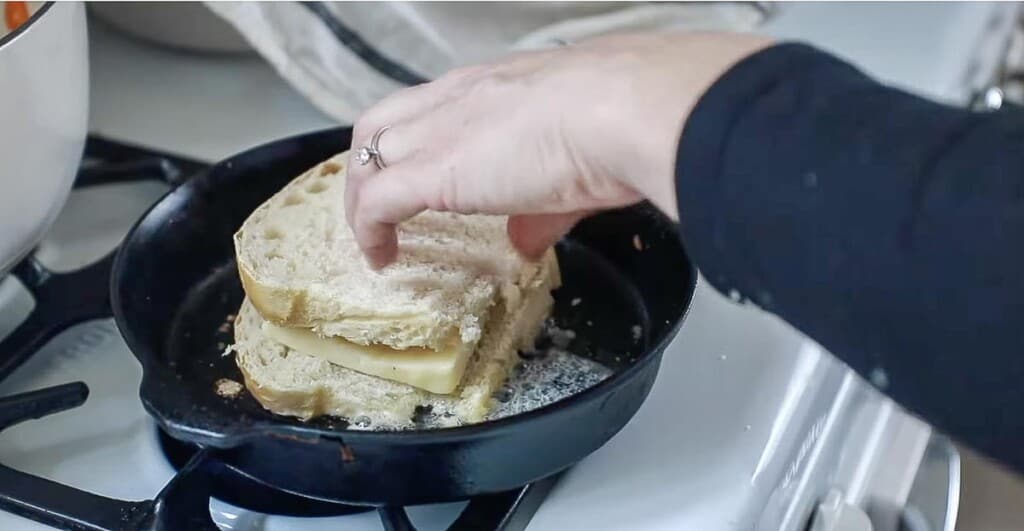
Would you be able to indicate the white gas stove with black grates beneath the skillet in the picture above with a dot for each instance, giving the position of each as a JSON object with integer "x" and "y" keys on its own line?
{"x": 750, "y": 426}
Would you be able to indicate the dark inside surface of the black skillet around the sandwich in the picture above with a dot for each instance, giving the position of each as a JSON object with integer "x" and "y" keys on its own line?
{"x": 176, "y": 288}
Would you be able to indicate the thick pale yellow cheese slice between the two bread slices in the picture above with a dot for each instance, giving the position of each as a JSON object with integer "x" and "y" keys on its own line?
{"x": 437, "y": 372}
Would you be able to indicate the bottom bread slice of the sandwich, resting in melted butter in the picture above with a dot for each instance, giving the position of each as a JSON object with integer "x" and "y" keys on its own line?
{"x": 294, "y": 384}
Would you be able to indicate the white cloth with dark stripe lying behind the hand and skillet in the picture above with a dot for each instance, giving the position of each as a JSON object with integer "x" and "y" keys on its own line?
{"x": 432, "y": 38}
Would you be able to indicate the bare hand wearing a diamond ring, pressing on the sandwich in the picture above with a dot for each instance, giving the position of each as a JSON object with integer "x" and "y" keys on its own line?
{"x": 545, "y": 138}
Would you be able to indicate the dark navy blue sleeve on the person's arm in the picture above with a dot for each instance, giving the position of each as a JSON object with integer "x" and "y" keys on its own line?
{"x": 887, "y": 228}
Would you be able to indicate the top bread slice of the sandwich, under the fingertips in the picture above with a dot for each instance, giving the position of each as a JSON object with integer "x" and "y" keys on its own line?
{"x": 302, "y": 268}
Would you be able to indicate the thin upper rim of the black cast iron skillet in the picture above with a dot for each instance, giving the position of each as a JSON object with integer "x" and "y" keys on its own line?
{"x": 238, "y": 434}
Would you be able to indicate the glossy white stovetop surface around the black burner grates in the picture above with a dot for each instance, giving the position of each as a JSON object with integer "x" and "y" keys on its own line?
{"x": 699, "y": 456}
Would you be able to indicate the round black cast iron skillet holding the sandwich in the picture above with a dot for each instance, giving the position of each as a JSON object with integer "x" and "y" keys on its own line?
{"x": 175, "y": 284}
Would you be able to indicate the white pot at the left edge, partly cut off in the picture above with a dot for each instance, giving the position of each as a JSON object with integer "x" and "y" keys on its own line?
{"x": 45, "y": 97}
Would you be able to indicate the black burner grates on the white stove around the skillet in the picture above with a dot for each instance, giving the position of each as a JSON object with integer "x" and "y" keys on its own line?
{"x": 64, "y": 300}
